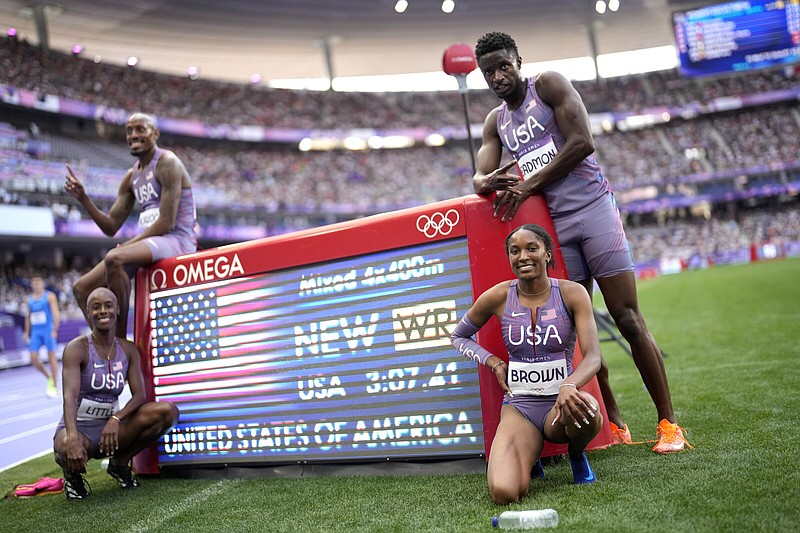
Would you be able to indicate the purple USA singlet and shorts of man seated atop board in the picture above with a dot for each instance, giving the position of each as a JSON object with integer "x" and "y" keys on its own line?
{"x": 182, "y": 239}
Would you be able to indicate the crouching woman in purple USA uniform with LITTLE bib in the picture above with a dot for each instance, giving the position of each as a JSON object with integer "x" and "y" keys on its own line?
{"x": 95, "y": 369}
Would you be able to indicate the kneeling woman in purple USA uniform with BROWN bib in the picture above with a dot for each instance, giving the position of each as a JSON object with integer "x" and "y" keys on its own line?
{"x": 541, "y": 318}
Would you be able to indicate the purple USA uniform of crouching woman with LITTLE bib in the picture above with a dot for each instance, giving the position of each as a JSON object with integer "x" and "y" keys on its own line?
{"x": 101, "y": 384}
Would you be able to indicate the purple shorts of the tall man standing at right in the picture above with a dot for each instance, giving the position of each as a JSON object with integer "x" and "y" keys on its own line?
{"x": 593, "y": 242}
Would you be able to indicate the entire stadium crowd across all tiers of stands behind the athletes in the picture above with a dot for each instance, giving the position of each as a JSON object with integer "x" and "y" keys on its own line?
{"x": 237, "y": 183}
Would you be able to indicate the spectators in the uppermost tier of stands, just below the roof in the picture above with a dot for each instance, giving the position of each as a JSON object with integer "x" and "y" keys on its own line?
{"x": 47, "y": 72}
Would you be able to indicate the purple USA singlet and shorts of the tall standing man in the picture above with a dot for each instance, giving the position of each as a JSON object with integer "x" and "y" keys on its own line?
{"x": 583, "y": 210}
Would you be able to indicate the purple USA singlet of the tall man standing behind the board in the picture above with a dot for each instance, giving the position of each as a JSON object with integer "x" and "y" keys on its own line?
{"x": 532, "y": 136}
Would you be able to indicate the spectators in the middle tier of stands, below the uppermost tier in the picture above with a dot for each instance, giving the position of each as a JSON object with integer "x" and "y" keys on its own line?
{"x": 280, "y": 179}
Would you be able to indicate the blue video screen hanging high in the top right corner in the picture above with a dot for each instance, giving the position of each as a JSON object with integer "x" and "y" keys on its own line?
{"x": 737, "y": 36}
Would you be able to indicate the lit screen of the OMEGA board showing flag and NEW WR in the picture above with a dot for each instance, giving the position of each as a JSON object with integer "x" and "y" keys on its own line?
{"x": 348, "y": 359}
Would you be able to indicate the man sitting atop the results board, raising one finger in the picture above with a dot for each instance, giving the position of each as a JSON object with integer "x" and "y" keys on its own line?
{"x": 160, "y": 183}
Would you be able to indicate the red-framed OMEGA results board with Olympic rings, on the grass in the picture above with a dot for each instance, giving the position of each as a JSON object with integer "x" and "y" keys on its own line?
{"x": 330, "y": 344}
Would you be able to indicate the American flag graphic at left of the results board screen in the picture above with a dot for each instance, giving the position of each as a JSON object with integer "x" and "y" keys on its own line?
{"x": 208, "y": 338}
